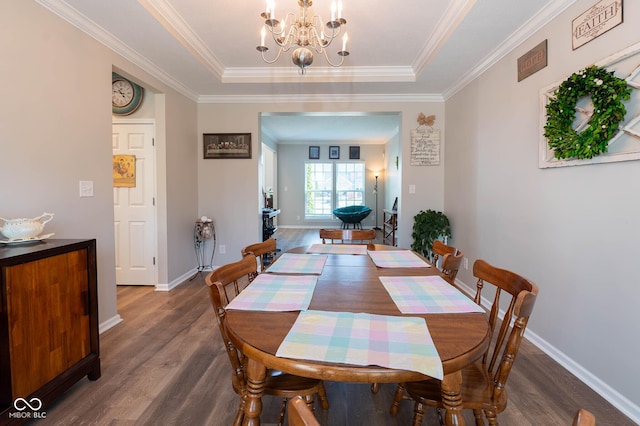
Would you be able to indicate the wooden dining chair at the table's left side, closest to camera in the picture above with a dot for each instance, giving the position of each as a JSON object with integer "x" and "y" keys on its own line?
{"x": 224, "y": 284}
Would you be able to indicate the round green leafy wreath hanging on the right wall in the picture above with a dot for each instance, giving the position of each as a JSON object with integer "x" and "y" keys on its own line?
{"x": 606, "y": 92}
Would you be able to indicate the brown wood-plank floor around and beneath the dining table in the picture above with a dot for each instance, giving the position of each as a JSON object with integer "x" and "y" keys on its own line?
{"x": 165, "y": 365}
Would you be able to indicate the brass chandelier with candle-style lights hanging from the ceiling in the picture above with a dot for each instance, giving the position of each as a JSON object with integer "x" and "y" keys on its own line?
{"x": 305, "y": 32}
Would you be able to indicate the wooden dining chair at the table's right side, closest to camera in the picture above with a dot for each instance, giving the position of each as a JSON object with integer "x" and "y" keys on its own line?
{"x": 483, "y": 382}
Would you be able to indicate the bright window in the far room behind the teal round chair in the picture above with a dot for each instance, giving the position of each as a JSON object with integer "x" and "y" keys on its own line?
{"x": 332, "y": 185}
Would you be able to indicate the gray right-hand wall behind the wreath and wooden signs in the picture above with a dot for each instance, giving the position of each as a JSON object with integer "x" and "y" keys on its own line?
{"x": 572, "y": 230}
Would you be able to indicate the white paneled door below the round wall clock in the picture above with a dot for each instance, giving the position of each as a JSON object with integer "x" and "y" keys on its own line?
{"x": 134, "y": 209}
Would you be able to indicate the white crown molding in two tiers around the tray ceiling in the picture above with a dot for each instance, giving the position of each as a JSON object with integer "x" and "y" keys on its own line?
{"x": 166, "y": 15}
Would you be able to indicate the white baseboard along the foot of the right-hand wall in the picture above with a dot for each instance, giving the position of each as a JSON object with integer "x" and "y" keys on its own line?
{"x": 619, "y": 401}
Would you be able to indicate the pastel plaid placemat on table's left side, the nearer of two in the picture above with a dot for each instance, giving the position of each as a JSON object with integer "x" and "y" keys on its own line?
{"x": 276, "y": 293}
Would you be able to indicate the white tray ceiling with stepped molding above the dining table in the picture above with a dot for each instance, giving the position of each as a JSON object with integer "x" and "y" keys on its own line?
{"x": 408, "y": 50}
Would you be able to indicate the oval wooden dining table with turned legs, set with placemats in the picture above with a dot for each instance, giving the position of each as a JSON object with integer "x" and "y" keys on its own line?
{"x": 350, "y": 283}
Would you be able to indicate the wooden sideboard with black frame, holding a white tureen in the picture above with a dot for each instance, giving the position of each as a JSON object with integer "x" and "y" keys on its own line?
{"x": 48, "y": 322}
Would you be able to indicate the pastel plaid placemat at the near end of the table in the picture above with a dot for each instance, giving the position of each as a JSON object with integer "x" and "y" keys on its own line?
{"x": 402, "y": 343}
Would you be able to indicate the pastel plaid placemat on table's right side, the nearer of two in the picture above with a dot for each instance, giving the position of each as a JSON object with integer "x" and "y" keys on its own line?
{"x": 427, "y": 295}
